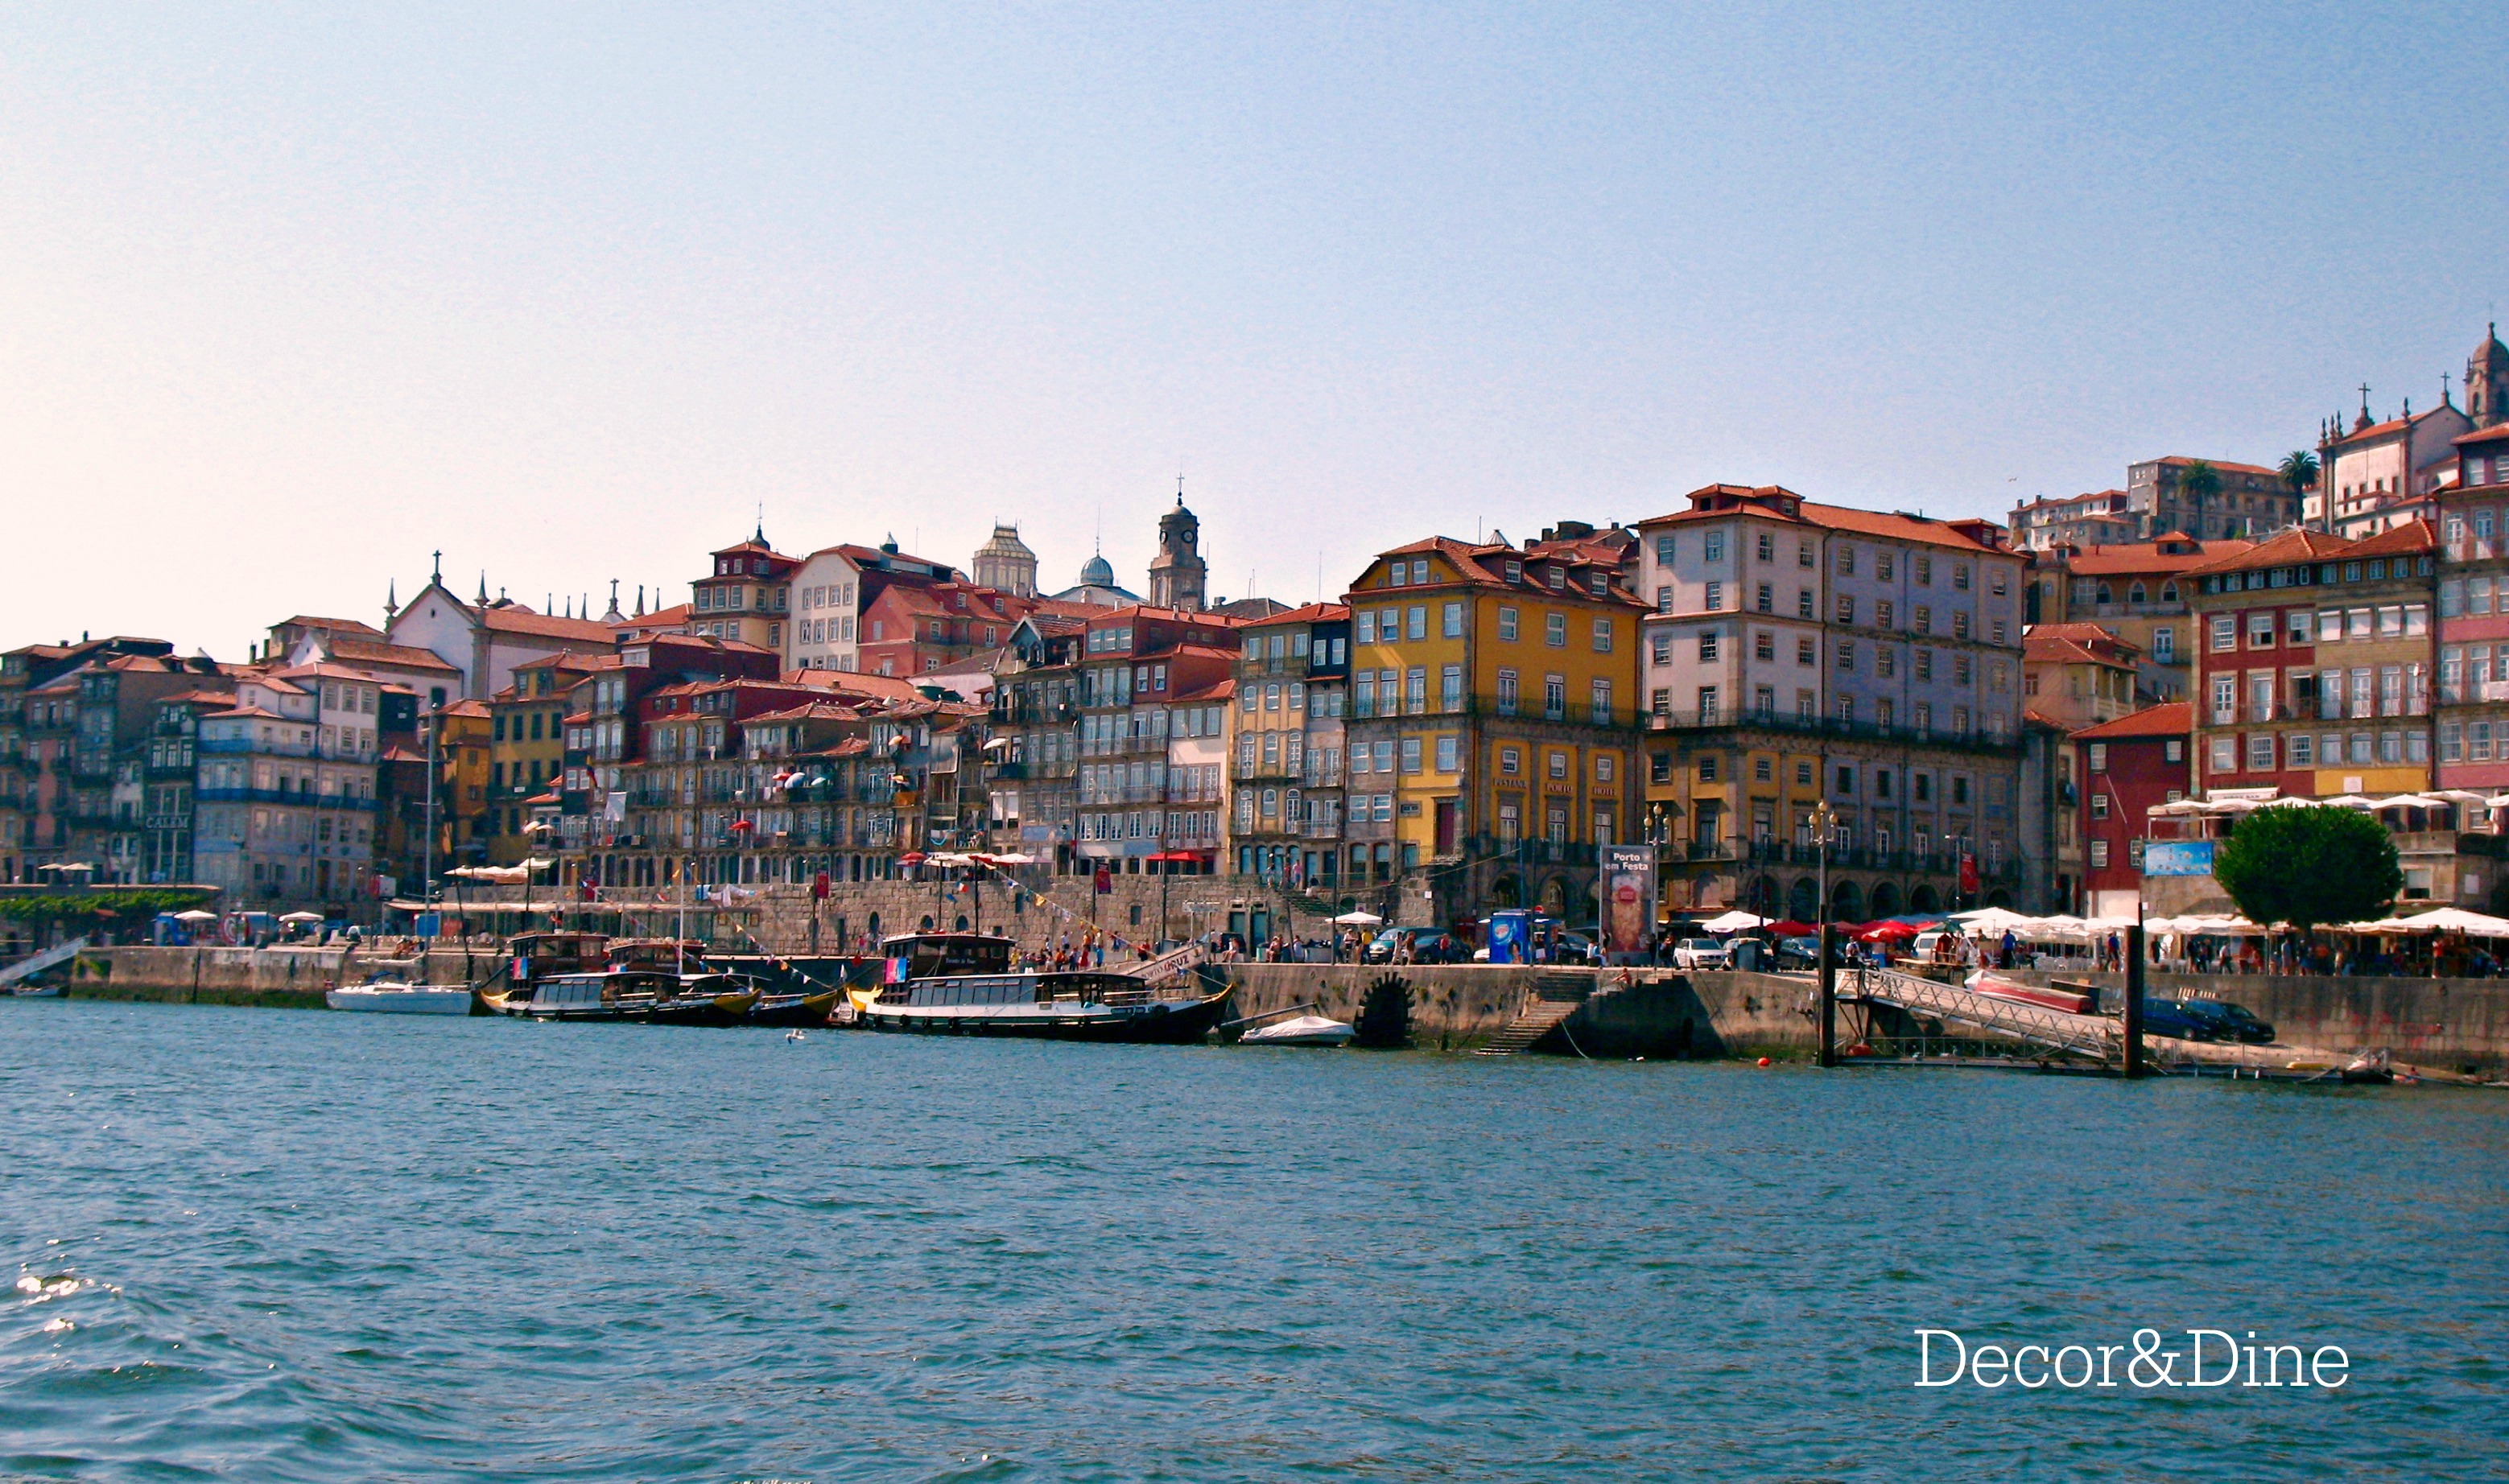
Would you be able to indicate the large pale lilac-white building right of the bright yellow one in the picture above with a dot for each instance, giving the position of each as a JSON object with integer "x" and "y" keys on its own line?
{"x": 1803, "y": 653}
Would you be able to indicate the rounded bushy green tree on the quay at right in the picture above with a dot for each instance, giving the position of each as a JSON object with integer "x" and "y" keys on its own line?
{"x": 2310, "y": 866}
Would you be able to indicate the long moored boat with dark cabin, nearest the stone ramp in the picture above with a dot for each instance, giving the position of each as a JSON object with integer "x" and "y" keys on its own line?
{"x": 962, "y": 984}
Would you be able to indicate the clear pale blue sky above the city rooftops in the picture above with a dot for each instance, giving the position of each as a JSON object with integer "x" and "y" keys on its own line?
{"x": 295, "y": 297}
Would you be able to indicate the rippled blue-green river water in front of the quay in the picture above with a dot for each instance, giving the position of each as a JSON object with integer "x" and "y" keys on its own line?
{"x": 262, "y": 1245}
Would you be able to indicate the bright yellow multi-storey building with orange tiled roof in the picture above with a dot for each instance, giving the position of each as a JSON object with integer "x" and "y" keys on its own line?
{"x": 1492, "y": 721}
